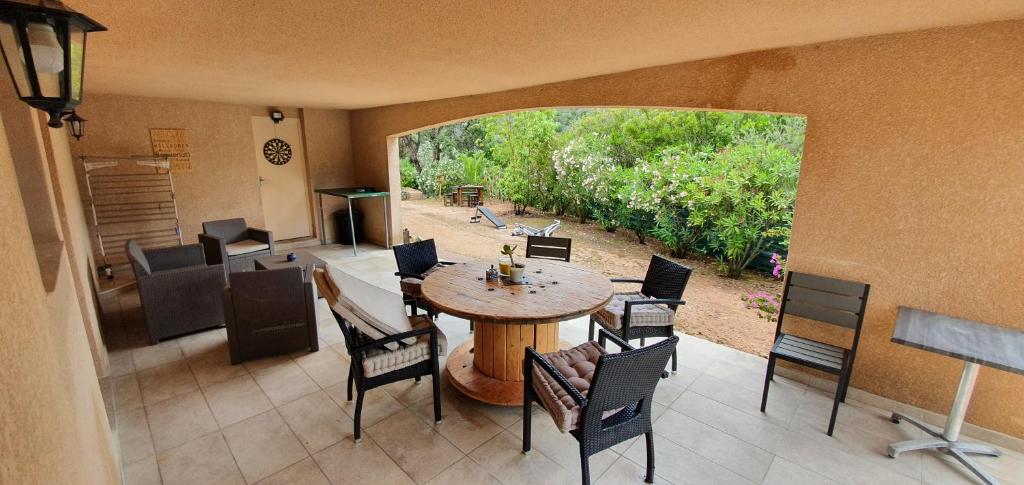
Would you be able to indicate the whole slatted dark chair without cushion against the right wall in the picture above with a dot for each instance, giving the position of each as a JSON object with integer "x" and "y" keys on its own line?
{"x": 837, "y": 302}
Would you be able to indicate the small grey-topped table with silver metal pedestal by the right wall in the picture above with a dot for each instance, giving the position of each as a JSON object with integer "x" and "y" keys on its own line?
{"x": 977, "y": 344}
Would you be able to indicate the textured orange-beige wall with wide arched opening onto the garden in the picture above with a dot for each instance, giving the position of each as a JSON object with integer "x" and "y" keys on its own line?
{"x": 911, "y": 179}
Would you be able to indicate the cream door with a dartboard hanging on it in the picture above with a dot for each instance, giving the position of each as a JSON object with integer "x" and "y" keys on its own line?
{"x": 282, "y": 169}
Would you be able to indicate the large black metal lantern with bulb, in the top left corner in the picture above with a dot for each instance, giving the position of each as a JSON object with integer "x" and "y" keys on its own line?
{"x": 44, "y": 43}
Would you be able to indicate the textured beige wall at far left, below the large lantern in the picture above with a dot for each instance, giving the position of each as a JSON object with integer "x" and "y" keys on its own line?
{"x": 55, "y": 429}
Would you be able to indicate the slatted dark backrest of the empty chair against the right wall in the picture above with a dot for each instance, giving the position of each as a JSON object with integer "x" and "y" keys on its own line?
{"x": 823, "y": 299}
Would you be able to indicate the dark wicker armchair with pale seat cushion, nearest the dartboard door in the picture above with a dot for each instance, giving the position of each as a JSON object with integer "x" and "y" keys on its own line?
{"x": 235, "y": 245}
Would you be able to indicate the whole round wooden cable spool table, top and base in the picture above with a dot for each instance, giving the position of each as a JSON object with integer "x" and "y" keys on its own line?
{"x": 508, "y": 319}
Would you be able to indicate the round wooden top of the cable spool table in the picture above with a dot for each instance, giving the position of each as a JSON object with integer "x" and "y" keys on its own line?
{"x": 554, "y": 291}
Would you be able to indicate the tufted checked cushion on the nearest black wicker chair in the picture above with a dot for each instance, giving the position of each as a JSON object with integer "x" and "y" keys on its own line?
{"x": 578, "y": 366}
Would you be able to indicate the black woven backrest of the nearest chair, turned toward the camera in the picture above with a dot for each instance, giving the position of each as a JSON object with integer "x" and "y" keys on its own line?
{"x": 627, "y": 379}
